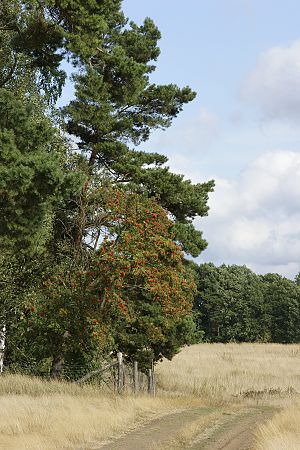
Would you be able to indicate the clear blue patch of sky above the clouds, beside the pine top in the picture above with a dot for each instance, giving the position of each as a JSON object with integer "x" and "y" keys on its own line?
{"x": 212, "y": 44}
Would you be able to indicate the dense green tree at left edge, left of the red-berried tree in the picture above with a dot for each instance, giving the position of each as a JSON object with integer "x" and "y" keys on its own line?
{"x": 35, "y": 181}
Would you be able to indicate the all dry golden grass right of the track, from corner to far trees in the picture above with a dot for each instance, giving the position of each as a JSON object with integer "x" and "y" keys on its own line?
{"x": 245, "y": 374}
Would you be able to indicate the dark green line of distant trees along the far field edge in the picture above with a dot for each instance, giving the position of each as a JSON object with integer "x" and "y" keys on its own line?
{"x": 235, "y": 304}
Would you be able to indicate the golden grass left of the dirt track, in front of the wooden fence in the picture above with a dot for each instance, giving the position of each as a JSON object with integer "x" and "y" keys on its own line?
{"x": 37, "y": 414}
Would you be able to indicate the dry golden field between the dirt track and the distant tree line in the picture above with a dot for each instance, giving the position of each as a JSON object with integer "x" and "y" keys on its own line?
{"x": 220, "y": 373}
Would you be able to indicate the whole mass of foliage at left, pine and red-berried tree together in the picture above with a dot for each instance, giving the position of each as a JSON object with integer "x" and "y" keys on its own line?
{"x": 72, "y": 303}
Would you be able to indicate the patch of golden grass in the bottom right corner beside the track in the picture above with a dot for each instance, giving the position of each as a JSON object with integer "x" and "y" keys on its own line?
{"x": 282, "y": 432}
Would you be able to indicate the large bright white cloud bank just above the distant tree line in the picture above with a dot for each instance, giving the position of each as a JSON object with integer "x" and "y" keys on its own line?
{"x": 255, "y": 220}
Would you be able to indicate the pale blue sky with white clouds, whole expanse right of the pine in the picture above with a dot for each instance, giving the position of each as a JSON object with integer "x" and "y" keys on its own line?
{"x": 243, "y": 59}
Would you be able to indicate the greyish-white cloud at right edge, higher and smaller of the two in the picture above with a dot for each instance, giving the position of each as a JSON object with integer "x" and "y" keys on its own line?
{"x": 274, "y": 85}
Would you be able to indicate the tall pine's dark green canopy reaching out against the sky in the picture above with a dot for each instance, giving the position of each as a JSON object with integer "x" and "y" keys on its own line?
{"x": 116, "y": 107}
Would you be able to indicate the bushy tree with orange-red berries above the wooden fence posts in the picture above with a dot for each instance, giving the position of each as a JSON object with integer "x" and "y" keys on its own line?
{"x": 134, "y": 296}
